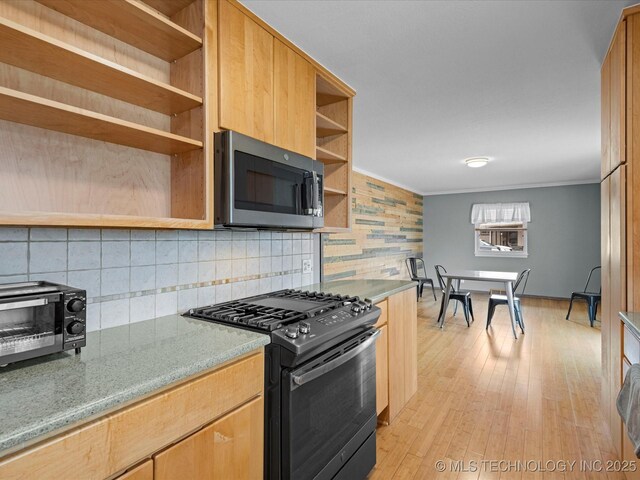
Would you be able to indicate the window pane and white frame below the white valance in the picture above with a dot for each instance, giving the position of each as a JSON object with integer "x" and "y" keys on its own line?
{"x": 501, "y": 239}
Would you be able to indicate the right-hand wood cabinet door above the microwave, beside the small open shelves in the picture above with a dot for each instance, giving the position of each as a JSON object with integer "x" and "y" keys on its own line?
{"x": 295, "y": 85}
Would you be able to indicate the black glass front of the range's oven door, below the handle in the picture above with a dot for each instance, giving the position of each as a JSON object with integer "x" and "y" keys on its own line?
{"x": 327, "y": 412}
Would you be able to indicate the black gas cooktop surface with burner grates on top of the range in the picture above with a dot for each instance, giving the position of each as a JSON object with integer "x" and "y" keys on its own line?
{"x": 275, "y": 310}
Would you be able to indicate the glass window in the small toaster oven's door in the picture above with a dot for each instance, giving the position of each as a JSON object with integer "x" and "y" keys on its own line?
{"x": 29, "y": 328}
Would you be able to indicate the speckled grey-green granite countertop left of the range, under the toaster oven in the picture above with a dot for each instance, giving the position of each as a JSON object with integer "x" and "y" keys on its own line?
{"x": 40, "y": 397}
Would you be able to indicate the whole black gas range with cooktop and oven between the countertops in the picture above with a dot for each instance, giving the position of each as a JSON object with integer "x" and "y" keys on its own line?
{"x": 320, "y": 403}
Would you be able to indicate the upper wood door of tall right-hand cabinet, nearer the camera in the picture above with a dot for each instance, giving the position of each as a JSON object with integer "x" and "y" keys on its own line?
{"x": 618, "y": 97}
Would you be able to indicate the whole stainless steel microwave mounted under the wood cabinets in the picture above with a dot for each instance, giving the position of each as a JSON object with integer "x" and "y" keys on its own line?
{"x": 263, "y": 186}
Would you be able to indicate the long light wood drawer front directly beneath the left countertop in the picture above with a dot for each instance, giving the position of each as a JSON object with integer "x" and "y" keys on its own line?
{"x": 118, "y": 440}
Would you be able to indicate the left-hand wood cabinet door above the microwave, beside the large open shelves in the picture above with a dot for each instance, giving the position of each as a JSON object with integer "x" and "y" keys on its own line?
{"x": 246, "y": 74}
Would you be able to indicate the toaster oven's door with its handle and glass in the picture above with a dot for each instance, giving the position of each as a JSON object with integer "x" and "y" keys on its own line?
{"x": 30, "y": 326}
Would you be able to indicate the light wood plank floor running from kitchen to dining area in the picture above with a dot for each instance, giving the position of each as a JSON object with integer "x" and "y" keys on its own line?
{"x": 484, "y": 396}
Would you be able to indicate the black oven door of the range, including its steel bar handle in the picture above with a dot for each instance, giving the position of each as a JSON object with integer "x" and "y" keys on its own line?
{"x": 329, "y": 410}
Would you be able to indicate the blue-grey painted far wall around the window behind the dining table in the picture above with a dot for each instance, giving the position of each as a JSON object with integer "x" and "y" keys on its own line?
{"x": 564, "y": 236}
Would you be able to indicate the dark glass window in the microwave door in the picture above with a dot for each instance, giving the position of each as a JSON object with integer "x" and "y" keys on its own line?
{"x": 266, "y": 186}
